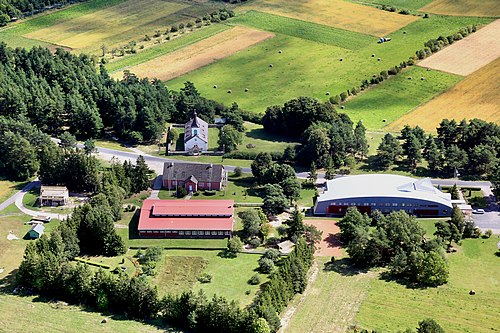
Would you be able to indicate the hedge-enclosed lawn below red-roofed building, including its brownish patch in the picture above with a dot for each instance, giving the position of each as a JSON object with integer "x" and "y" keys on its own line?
{"x": 229, "y": 275}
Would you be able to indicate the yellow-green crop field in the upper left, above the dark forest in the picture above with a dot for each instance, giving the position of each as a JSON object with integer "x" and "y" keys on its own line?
{"x": 129, "y": 19}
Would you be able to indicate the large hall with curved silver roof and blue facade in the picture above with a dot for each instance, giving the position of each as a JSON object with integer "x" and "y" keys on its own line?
{"x": 386, "y": 193}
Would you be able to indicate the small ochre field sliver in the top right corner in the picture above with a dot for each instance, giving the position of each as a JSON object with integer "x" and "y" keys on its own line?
{"x": 487, "y": 8}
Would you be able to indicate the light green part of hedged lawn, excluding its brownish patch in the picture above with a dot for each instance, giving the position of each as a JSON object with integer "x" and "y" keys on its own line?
{"x": 229, "y": 275}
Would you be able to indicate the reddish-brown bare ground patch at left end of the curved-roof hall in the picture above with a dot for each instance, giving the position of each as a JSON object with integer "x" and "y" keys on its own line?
{"x": 330, "y": 244}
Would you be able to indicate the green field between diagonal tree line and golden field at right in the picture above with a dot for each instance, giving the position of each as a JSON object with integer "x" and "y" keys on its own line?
{"x": 397, "y": 96}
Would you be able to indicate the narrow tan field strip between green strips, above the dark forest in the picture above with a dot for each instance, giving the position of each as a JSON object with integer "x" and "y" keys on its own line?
{"x": 199, "y": 54}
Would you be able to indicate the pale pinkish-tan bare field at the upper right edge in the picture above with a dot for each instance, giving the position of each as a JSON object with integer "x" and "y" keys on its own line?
{"x": 469, "y": 54}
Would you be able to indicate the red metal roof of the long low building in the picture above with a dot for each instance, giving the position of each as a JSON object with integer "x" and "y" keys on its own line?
{"x": 186, "y": 215}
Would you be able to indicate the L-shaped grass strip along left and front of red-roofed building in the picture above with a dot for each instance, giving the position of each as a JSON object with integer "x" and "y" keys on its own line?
{"x": 129, "y": 234}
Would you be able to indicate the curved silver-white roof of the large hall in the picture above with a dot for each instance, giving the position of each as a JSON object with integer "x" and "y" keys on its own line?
{"x": 383, "y": 185}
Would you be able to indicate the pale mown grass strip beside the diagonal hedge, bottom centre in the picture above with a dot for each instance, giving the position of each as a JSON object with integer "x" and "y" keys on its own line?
{"x": 338, "y": 292}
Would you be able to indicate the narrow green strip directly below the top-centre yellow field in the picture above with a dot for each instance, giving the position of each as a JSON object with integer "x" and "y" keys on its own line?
{"x": 303, "y": 29}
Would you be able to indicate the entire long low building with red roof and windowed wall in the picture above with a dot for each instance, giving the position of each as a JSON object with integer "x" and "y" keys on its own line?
{"x": 186, "y": 218}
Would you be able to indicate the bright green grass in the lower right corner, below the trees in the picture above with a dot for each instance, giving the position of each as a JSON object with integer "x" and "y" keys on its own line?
{"x": 391, "y": 306}
